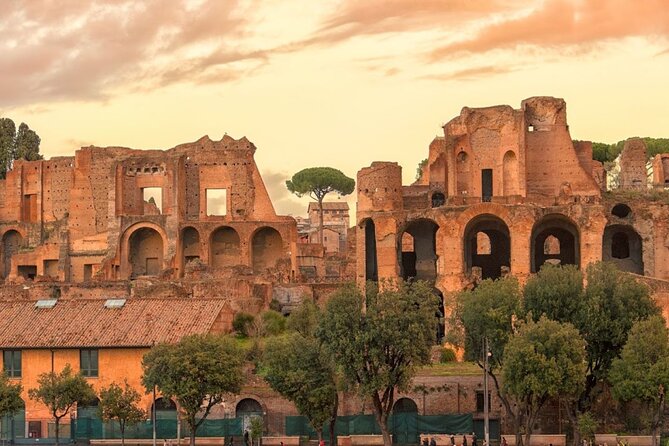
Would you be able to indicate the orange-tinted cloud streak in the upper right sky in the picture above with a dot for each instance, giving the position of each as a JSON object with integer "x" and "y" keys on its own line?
{"x": 571, "y": 25}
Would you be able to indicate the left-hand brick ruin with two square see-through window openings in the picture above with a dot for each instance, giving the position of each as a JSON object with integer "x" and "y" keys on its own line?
{"x": 195, "y": 213}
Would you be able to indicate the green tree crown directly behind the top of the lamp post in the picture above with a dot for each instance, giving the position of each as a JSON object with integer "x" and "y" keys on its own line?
{"x": 487, "y": 311}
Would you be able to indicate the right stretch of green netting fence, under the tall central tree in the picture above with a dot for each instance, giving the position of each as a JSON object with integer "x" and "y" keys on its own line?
{"x": 405, "y": 428}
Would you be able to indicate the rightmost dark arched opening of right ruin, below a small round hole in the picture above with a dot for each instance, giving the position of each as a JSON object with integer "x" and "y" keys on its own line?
{"x": 623, "y": 246}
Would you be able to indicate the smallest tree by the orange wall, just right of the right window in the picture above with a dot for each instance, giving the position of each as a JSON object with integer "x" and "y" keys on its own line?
{"x": 120, "y": 403}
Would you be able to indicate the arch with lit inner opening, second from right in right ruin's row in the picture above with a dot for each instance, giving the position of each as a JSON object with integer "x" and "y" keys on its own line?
{"x": 555, "y": 240}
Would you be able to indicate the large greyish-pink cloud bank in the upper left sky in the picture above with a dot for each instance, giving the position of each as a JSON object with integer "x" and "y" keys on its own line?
{"x": 84, "y": 50}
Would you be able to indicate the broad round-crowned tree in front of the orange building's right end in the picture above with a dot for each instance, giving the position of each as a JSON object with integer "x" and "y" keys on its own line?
{"x": 197, "y": 372}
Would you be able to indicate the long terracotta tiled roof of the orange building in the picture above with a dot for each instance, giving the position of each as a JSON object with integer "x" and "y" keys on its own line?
{"x": 87, "y": 323}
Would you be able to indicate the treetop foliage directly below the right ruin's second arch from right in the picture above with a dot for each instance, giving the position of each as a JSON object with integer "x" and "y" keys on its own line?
{"x": 556, "y": 292}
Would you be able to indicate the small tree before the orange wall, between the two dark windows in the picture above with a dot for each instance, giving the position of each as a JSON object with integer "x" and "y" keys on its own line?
{"x": 59, "y": 392}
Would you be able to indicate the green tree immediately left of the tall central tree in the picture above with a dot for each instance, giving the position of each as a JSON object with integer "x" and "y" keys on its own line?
{"x": 297, "y": 366}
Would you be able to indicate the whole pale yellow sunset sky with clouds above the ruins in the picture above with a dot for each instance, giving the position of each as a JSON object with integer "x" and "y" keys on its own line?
{"x": 325, "y": 83}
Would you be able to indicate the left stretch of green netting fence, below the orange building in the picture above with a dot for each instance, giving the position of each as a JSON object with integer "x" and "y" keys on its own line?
{"x": 94, "y": 428}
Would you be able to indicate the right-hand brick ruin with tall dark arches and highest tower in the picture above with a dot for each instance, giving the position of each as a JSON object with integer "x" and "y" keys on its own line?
{"x": 504, "y": 191}
